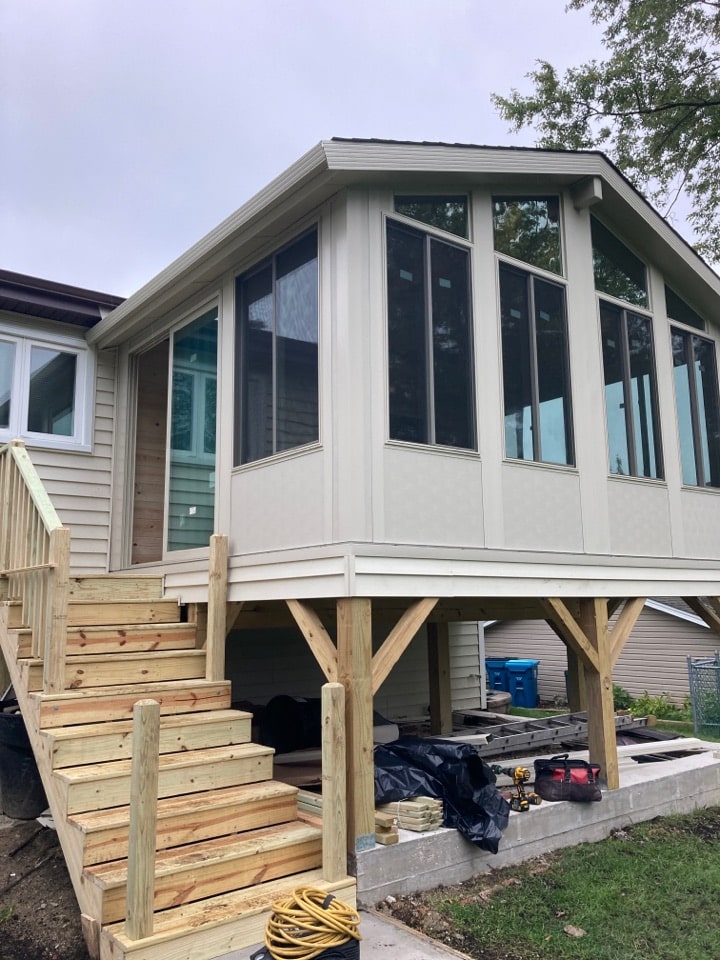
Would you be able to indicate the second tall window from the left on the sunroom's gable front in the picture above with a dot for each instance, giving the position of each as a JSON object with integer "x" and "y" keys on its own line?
{"x": 536, "y": 381}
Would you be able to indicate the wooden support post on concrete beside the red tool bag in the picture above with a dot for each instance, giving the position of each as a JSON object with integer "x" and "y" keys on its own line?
{"x": 602, "y": 742}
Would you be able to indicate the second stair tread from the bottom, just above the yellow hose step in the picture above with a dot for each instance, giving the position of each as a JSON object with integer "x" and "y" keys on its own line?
{"x": 208, "y": 852}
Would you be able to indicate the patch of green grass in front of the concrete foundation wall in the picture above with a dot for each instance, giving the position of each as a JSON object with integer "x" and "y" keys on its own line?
{"x": 648, "y": 893}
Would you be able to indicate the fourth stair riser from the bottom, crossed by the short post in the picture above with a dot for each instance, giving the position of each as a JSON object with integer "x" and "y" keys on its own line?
{"x": 115, "y": 791}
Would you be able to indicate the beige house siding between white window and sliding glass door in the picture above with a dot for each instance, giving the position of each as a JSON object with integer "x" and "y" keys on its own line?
{"x": 79, "y": 484}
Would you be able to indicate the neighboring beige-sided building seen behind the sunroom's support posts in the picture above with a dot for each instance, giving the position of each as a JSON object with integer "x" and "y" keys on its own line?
{"x": 654, "y": 658}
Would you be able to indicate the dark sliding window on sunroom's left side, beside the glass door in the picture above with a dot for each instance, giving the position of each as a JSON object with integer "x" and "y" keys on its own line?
{"x": 277, "y": 363}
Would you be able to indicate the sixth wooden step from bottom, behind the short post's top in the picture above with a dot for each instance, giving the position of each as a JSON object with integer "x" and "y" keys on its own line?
{"x": 116, "y": 703}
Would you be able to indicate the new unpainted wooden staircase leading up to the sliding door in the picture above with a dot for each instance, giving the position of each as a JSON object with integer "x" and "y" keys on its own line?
{"x": 229, "y": 840}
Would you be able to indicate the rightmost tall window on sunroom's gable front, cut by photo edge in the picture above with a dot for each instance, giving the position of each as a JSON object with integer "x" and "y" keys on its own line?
{"x": 696, "y": 395}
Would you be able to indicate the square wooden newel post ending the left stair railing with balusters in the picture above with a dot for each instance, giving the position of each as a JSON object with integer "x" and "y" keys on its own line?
{"x": 55, "y": 619}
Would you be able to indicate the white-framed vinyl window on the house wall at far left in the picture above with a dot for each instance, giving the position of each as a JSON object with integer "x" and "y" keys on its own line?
{"x": 45, "y": 390}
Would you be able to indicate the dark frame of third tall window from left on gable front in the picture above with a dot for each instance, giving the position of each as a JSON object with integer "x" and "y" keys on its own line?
{"x": 628, "y": 407}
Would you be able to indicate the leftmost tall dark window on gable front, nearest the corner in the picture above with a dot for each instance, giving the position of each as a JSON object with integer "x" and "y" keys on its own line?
{"x": 429, "y": 339}
